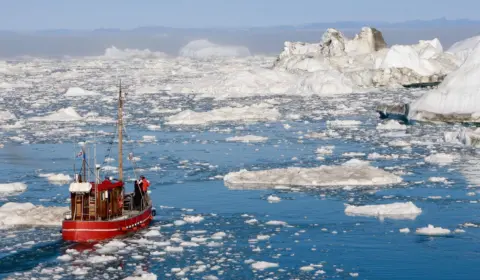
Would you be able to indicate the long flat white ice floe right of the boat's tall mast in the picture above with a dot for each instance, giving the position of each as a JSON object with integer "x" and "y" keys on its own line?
{"x": 255, "y": 113}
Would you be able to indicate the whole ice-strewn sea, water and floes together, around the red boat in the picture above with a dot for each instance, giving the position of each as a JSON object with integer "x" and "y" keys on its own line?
{"x": 253, "y": 183}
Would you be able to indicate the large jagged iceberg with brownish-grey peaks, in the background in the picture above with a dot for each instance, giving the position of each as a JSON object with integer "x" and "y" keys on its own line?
{"x": 367, "y": 61}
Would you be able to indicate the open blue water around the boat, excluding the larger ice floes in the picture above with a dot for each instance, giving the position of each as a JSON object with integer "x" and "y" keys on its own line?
{"x": 317, "y": 232}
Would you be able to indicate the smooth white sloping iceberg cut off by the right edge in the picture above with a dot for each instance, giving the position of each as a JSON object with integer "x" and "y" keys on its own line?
{"x": 457, "y": 97}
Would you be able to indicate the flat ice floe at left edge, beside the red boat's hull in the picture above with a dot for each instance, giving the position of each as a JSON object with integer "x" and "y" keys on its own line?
{"x": 27, "y": 214}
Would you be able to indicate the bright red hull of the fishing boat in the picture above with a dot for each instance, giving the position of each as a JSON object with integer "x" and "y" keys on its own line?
{"x": 91, "y": 231}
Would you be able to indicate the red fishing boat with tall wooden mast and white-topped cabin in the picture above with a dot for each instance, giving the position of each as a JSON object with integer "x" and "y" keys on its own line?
{"x": 101, "y": 209}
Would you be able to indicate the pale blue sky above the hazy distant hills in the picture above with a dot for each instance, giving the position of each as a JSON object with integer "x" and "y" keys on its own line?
{"x": 91, "y": 14}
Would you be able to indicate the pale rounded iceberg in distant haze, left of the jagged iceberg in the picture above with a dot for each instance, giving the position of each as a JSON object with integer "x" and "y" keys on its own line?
{"x": 206, "y": 49}
